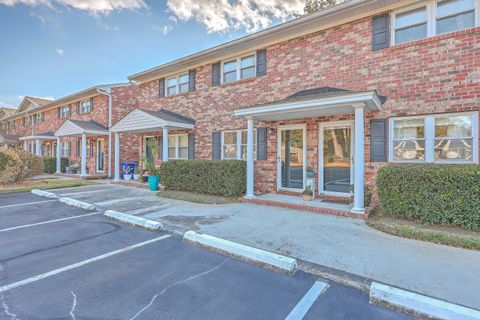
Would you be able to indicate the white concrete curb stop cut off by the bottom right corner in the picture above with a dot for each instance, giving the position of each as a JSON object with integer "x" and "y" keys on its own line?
{"x": 418, "y": 304}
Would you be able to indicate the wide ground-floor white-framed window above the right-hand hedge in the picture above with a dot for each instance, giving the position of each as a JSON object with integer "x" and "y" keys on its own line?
{"x": 435, "y": 138}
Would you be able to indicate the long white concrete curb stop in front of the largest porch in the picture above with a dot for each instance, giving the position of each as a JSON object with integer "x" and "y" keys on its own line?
{"x": 263, "y": 258}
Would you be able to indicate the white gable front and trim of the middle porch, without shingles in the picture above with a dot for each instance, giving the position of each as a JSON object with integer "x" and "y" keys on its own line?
{"x": 139, "y": 120}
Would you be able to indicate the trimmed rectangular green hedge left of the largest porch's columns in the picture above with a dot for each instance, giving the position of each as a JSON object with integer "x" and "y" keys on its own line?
{"x": 219, "y": 177}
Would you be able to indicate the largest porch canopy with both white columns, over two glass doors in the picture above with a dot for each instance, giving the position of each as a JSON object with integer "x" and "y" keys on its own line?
{"x": 313, "y": 103}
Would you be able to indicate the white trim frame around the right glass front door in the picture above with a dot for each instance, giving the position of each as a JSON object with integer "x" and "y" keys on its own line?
{"x": 334, "y": 124}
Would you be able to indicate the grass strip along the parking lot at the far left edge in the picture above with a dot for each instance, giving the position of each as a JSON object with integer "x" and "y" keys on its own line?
{"x": 43, "y": 184}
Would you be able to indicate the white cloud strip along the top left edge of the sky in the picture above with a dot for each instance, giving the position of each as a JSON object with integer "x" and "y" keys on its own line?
{"x": 93, "y": 6}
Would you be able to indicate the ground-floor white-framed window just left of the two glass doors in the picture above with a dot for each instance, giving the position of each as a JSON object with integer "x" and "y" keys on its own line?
{"x": 234, "y": 144}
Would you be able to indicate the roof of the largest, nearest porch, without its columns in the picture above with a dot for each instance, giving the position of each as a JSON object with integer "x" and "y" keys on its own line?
{"x": 313, "y": 103}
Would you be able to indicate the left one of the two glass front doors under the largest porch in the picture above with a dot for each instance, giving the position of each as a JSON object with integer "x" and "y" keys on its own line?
{"x": 291, "y": 158}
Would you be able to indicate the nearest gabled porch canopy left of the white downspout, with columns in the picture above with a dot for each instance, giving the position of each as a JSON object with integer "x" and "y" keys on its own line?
{"x": 79, "y": 128}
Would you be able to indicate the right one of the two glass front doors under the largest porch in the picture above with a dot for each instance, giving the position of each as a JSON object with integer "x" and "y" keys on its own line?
{"x": 336, "y": 140}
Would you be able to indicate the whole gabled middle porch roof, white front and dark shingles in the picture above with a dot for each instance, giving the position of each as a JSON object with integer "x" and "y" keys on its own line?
{"x": 147, "y": 121}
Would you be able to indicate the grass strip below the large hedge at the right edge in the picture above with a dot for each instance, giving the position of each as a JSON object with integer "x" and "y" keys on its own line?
{"x": 450, "y": 236}
